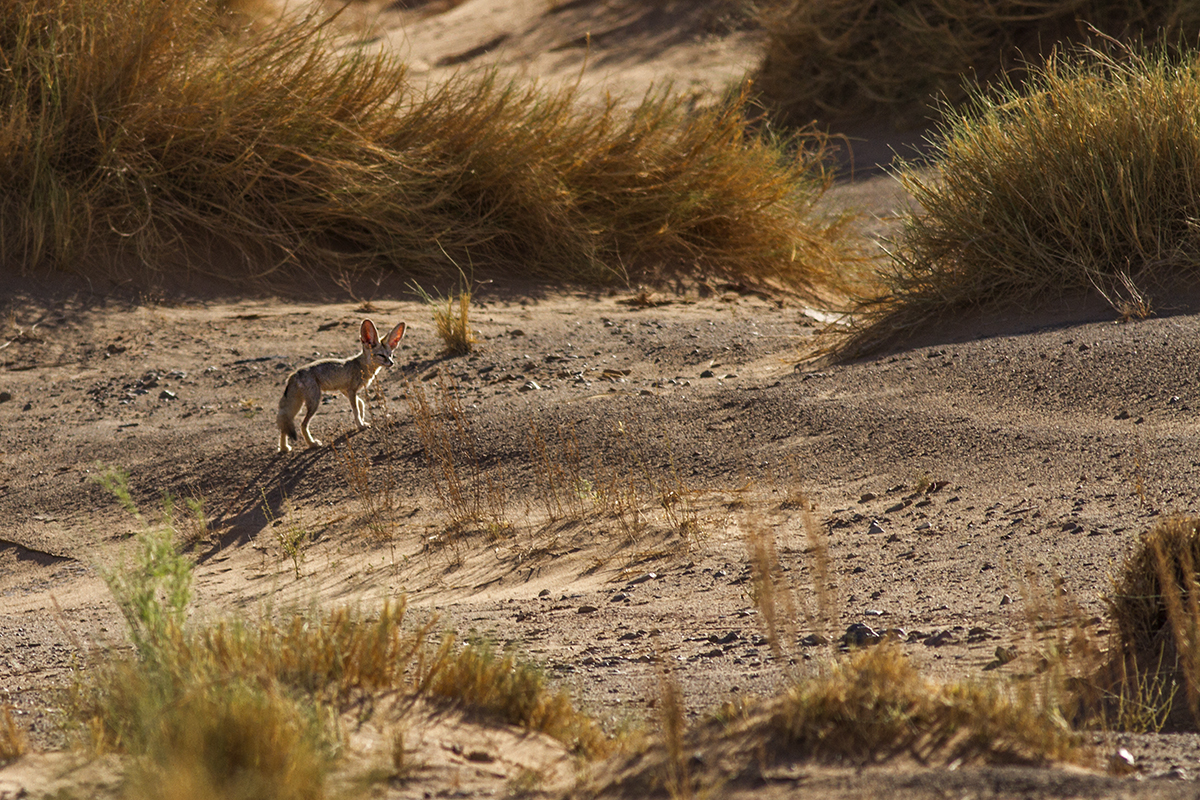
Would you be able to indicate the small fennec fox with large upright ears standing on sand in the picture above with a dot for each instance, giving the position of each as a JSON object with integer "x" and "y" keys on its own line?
{"x": 346, "y": 376}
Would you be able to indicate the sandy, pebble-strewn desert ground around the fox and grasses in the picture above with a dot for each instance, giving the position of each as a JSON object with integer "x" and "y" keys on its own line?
{"x": 638, "y": 448}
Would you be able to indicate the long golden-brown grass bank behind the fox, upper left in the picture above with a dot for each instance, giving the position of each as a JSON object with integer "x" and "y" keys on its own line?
{"x": 148, "y": 139}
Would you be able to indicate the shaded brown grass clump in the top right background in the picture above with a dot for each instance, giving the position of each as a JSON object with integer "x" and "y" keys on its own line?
{"x": 842, "y": 62}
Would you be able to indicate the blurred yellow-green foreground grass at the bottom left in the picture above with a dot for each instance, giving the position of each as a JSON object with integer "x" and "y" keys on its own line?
{"x": 237, "y": 709}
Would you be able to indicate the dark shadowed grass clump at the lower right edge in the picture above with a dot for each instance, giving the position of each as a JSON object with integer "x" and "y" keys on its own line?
{"x": 1155, "y": 611}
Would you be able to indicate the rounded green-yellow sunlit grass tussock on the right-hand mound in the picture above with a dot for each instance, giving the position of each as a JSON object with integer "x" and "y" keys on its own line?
{"x": 1079, "y": 182}
